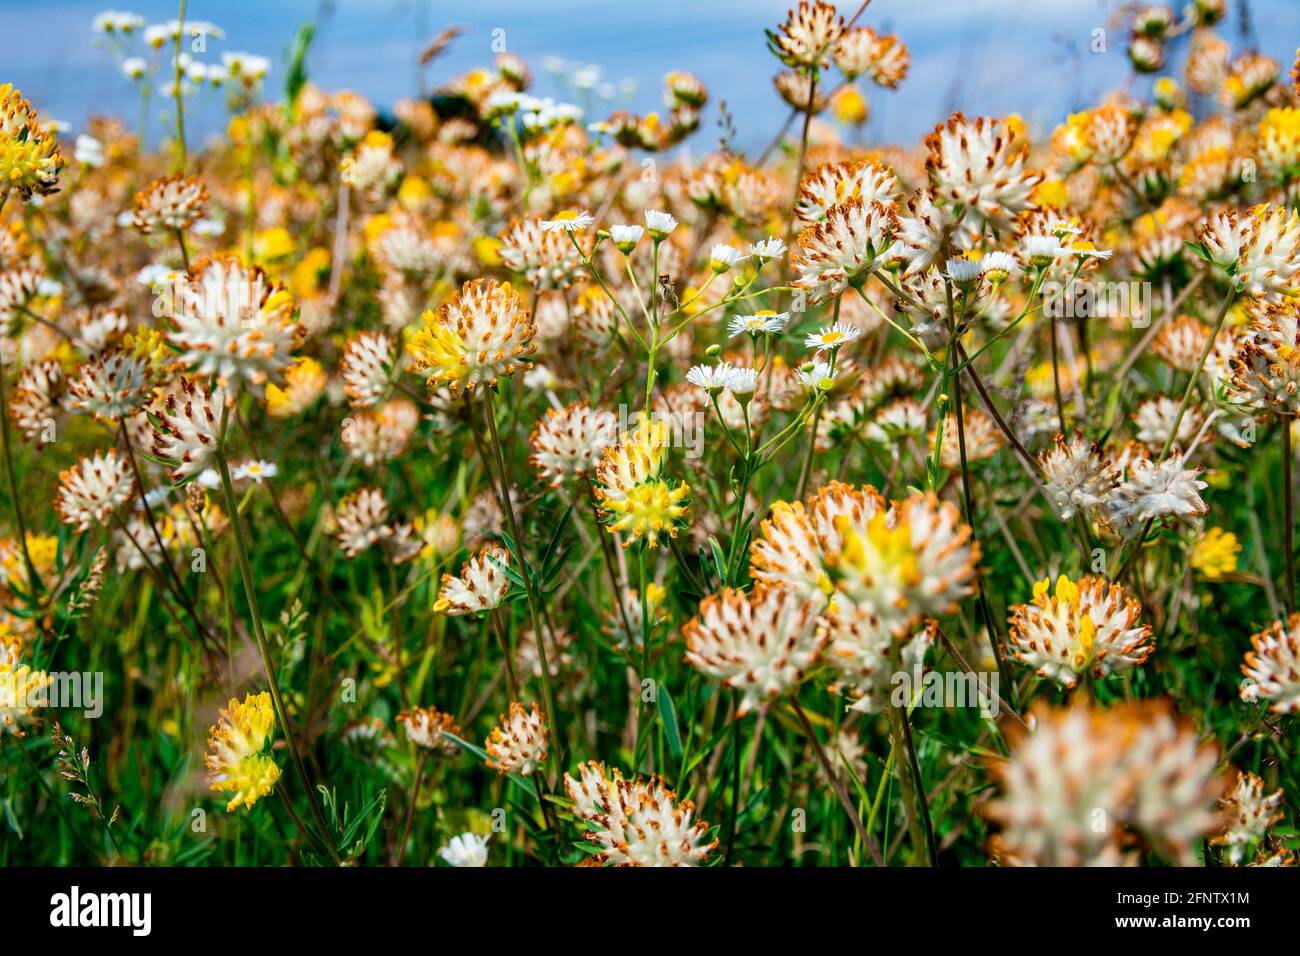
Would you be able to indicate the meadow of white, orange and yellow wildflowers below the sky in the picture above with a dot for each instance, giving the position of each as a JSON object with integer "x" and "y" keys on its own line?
{"x": 492, "y": 478}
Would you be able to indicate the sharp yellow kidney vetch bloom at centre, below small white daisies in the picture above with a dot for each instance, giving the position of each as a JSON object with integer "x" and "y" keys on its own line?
{"x": 634, "y": 498}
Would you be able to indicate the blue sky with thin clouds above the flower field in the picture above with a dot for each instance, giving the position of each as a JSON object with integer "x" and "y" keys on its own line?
{"x": 983, "y": 57}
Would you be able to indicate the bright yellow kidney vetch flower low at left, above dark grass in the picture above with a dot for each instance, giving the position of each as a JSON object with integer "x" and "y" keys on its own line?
{"x": 239, "y": 751}
